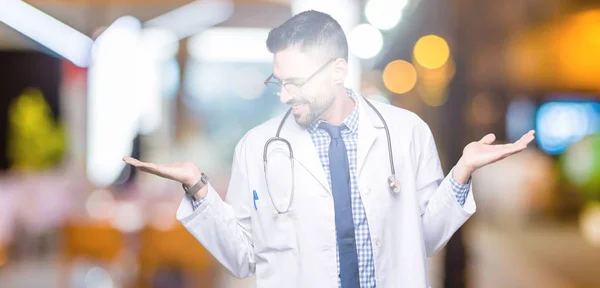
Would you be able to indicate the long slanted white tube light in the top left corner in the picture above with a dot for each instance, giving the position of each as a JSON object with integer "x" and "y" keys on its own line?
{"x": 46, "y": 30}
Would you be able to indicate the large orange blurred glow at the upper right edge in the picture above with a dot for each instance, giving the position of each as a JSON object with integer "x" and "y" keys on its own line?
{"x": 568, "y": 44}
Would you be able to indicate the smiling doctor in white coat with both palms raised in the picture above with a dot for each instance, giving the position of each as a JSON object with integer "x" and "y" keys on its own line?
{"x": 320, "y": 211}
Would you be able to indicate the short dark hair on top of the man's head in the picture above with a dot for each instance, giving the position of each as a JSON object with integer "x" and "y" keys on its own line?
{"x": 310, "y": 30}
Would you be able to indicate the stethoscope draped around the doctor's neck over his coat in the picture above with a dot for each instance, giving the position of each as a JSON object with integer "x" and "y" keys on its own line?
{"x": 393, "y": 183}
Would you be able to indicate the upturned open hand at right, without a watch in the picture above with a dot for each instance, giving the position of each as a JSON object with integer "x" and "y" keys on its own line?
{"x": 481, "y": 153}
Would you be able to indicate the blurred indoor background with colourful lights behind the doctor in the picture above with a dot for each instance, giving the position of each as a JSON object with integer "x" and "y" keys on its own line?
{"x": 86, "y": 82}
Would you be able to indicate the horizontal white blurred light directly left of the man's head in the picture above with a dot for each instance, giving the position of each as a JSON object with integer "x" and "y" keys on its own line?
{"x": 230, "y": 45}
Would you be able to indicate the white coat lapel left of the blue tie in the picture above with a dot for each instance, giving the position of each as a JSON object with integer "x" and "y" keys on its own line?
{"x": 305, "y": 152}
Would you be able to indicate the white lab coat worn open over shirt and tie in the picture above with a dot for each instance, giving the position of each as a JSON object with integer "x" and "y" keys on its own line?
{"x": 298, "y": 249}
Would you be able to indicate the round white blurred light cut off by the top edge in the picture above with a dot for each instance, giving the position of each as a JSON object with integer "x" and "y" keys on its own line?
{"x": 384, "y": 14}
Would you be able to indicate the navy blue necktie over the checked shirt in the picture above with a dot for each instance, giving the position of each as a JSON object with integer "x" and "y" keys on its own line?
{"x": 342, "y": 202}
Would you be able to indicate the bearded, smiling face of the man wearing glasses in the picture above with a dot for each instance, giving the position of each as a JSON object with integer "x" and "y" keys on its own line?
{"x": 316, "y": 96}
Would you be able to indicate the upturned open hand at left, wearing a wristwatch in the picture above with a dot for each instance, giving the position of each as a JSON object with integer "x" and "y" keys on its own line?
{"x": 186, "y": 173}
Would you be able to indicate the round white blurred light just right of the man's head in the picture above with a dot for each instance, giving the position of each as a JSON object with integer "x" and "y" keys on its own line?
{"x": 365, "y": 41}
